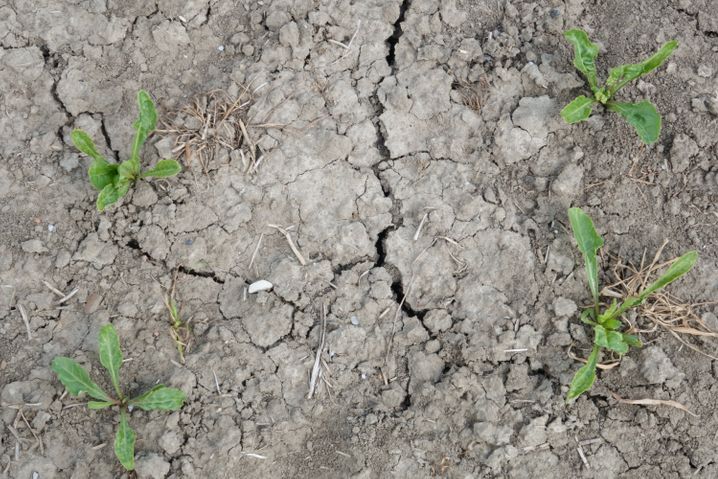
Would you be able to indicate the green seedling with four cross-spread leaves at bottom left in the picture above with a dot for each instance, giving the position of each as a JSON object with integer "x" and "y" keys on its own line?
{"x": 77, "y": 381}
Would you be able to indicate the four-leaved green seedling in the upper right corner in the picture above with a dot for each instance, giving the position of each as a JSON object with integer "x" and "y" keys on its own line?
{"x": 643, "y": 115}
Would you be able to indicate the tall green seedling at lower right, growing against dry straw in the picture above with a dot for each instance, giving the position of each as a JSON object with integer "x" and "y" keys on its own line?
{"x": 608, "y": 333}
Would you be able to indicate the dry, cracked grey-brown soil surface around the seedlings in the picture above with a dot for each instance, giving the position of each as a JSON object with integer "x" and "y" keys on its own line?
{"x": 373, "y": 119}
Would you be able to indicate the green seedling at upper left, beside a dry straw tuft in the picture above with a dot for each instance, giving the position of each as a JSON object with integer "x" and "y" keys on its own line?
{"x": 114, "y": 180}
